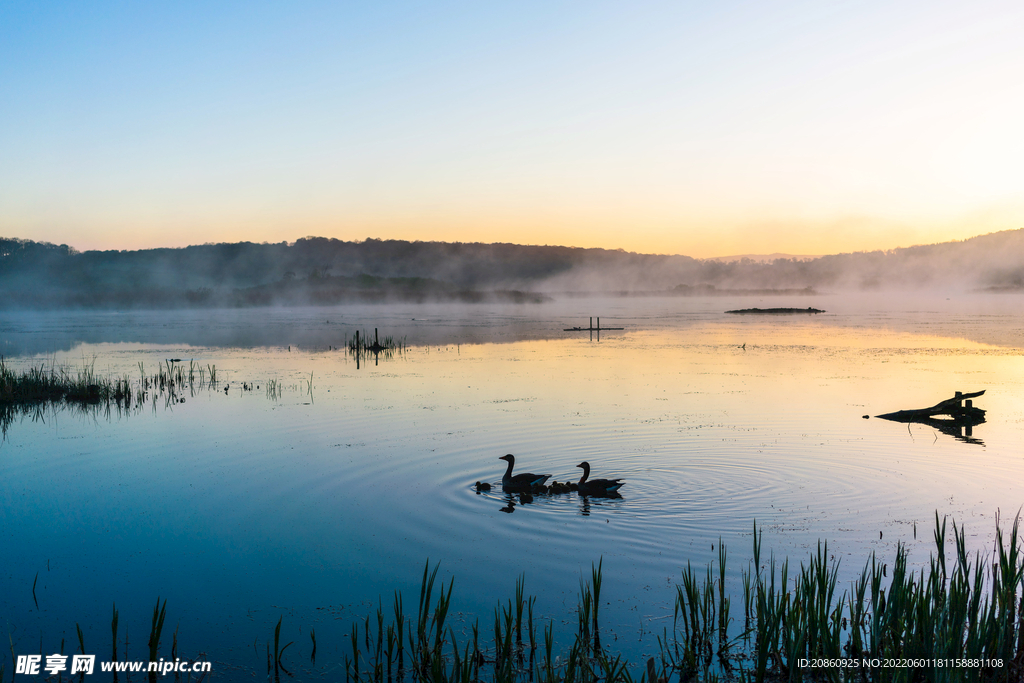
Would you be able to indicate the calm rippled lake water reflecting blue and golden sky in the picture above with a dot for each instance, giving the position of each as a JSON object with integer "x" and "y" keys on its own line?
{"x": 239, "y": 507}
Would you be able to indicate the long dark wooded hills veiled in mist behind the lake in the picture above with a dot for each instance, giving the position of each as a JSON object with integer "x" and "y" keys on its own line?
{"x": 326, "y": 271}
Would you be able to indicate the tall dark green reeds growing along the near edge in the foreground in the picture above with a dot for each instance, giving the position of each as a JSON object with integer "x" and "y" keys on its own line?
{"x": 957, "y": 619}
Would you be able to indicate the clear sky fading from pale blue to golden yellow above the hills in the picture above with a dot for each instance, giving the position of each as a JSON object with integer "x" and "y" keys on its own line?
{"x": 699, "y": 129}
